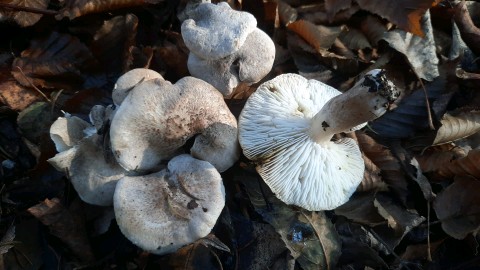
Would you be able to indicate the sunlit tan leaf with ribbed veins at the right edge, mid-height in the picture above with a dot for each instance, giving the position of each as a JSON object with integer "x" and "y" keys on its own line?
{"x": 457, "y": 127}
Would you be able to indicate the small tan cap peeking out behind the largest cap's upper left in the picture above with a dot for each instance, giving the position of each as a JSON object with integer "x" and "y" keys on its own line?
{"x": 129, "y": 80}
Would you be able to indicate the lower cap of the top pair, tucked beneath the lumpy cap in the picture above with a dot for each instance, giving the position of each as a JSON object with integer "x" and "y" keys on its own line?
{"x": 245, "y": 65}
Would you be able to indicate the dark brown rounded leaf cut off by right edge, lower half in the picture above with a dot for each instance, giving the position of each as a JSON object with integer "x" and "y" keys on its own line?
{"x": 458, "y": 207}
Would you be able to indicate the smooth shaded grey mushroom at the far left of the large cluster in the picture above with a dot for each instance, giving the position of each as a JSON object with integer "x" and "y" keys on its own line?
{"x": 92, "y": 176}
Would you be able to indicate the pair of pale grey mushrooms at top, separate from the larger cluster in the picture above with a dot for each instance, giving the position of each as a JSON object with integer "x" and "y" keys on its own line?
{"x": 220, "y": 41}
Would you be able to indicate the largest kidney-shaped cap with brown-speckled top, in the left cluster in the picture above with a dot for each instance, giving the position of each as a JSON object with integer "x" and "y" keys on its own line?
{"x": 157, "y": 118}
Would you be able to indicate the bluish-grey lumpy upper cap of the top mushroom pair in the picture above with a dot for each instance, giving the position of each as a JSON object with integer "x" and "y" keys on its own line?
{"x": 216, "y": 31}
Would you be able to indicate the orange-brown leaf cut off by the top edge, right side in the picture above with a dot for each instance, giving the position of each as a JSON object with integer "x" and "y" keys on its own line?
{"x": 406, "y": 14}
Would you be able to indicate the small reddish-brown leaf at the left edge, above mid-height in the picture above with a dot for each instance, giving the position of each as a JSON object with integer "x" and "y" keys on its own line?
{"x": 18, "y": 97}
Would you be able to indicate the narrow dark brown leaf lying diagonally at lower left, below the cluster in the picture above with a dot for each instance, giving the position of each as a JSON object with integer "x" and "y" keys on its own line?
{"x": 63, "y": 225}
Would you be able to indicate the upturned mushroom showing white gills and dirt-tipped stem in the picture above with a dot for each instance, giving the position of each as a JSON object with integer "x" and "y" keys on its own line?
{"x": 287, "y": 125}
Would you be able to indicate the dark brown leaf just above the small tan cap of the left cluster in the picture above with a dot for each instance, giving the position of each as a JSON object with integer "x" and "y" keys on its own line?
{"x": 111, "y": 43}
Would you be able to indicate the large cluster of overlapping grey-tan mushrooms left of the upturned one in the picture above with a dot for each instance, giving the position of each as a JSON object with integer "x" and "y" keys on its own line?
{"x": 118, "y": 159}
